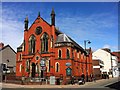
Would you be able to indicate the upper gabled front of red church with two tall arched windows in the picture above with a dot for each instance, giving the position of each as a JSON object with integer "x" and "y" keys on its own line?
{"x": 40, "y": 35}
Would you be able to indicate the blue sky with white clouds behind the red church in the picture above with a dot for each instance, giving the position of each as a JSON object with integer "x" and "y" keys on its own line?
{"x": 94, "y": 21}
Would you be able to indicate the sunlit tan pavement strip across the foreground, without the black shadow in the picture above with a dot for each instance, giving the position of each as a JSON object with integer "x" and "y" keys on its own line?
{"x": 97, "y": 84}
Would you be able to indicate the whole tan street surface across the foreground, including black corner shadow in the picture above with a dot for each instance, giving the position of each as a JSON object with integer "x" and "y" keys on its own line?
{"x": 110, "y": 84}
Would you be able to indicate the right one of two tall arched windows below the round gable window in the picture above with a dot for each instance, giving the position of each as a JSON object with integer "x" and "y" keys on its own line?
{"x": 44, "y": 43}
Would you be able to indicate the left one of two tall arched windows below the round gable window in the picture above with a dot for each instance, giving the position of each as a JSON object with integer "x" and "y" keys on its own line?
{"x": 32, "y": 44}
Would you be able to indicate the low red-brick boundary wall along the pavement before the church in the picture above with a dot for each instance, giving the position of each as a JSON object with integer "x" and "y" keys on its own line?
{"x": 12, "y": 78}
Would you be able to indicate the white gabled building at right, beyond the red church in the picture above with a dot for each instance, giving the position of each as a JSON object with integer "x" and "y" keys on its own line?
{"x": 110, "y": 61}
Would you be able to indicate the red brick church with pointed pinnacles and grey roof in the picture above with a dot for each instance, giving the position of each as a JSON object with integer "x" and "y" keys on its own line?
{"x": 46, "y": 52}
